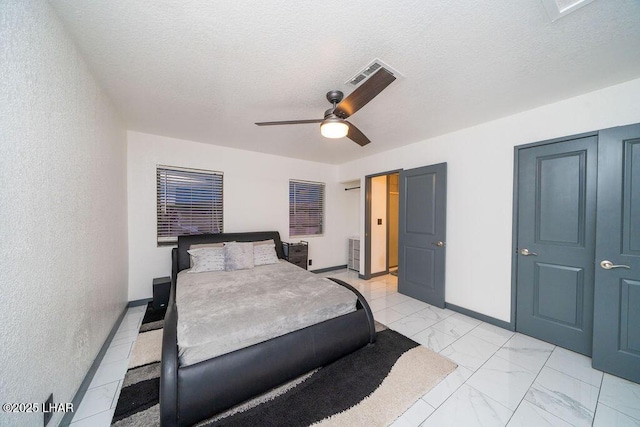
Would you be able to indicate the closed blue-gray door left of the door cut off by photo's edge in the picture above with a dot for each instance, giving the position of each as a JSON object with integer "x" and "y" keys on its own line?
{"x": 556, "y": 242}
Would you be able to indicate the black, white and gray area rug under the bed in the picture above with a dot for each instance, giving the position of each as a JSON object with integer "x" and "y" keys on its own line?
{"x": 370, "y": 387}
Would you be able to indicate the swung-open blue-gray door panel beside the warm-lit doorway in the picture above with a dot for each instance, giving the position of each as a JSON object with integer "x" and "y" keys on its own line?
{"x": 422, "y": 222}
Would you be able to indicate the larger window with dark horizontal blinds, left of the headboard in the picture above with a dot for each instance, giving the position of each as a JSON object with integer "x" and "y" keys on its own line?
{"x": 189, "y": 202}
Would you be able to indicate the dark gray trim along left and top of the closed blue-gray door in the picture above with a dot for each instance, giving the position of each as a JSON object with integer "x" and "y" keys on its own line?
{"x": 514, "y": 222}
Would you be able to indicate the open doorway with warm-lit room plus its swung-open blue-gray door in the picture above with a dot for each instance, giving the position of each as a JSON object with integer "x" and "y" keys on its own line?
{"x": 420, "y": 230}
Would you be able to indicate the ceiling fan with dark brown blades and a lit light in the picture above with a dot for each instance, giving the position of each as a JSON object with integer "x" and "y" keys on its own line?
{"x": 334, "y": 124}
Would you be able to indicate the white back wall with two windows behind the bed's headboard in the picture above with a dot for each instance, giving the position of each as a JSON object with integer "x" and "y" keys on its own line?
{"x": 256, "y": 197}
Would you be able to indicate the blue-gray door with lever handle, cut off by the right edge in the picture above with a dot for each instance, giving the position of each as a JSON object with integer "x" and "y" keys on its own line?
{"x": 616, "y": 345}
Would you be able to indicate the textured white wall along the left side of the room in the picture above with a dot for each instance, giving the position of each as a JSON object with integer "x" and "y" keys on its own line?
{"x": 62, "y": 212}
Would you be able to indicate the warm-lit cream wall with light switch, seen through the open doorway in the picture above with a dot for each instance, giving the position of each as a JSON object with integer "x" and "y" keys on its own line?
{"x": 378, "y": 232}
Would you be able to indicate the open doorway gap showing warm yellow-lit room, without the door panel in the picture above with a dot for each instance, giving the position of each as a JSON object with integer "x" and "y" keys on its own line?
{"x": 381, "y": 224}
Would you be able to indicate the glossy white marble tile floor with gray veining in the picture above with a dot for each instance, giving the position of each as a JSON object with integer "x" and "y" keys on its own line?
{"x": 503, "y": 378}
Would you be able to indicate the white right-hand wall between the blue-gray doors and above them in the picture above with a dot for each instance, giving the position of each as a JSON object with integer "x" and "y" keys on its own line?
{"x": 480, "y": 186}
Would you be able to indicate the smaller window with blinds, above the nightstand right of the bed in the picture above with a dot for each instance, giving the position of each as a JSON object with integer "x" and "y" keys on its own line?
{"x": 306, "y": 208}
